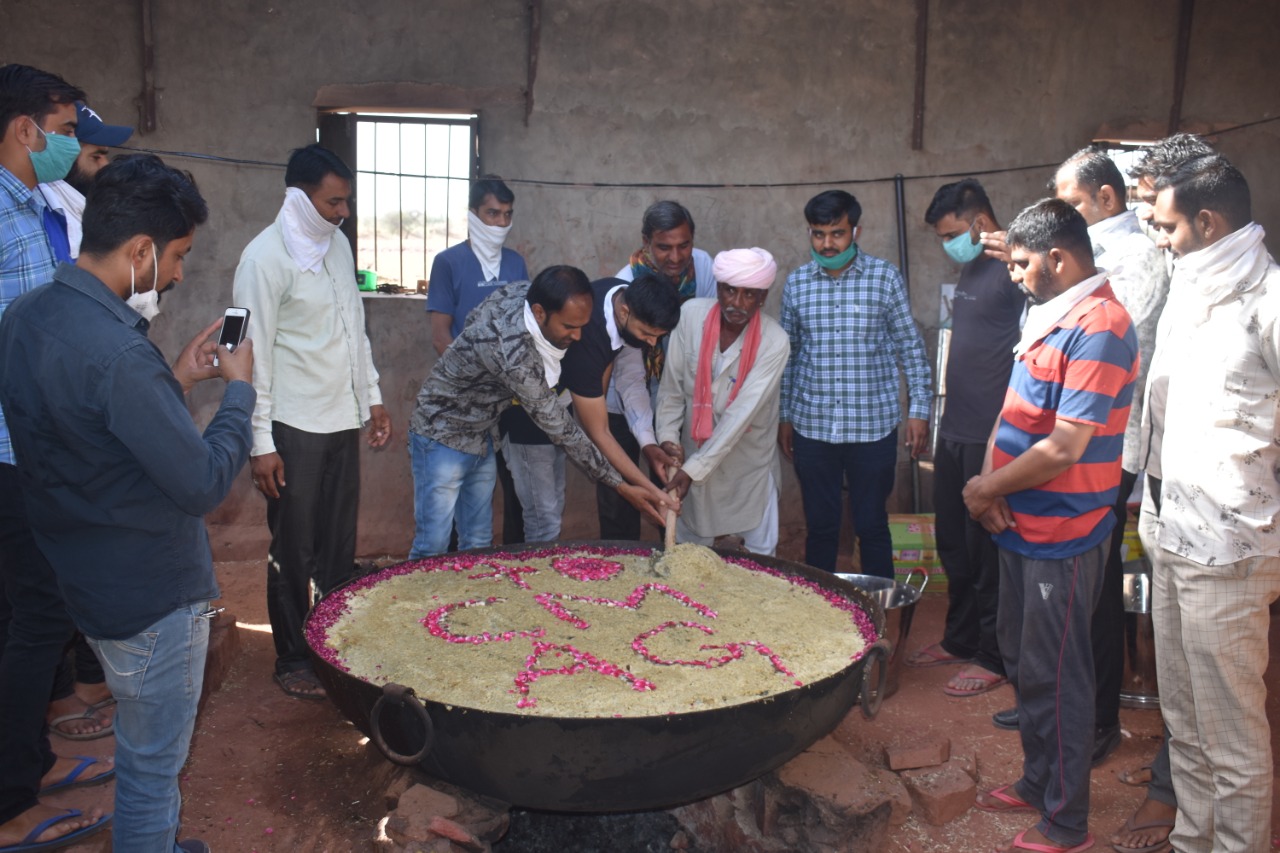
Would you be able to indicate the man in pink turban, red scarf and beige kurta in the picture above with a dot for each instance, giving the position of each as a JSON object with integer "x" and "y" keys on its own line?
{"x": 719, "y": 407}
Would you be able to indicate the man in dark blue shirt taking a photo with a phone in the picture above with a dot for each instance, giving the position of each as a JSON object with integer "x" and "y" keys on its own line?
{"x": 117, "y": 478}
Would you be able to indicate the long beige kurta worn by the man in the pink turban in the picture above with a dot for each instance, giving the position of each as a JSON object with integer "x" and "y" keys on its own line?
{"x": 732, "y": 469}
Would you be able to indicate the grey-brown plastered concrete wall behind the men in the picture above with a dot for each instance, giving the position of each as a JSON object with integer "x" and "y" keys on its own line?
{"x": 710, "y": 93}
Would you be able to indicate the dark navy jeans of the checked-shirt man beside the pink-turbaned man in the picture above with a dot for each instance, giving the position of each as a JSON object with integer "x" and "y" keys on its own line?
{"x": 870, "y": 468}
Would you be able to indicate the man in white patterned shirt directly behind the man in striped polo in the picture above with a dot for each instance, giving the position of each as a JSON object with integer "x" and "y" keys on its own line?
{"x": 1091, "y": 183}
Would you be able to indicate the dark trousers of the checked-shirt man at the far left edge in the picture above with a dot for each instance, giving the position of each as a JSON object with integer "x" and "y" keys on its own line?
{"x": 35, "y": 630}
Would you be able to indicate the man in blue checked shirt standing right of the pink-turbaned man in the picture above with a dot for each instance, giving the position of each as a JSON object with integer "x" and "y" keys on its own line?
{"x": 851, "y": 325}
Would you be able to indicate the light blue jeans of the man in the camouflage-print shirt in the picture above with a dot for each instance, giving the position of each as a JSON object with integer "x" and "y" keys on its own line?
{"x": 451, "y": 487}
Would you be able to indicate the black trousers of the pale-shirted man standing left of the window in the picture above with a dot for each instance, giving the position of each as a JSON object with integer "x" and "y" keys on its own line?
{"x": 313, "y": 532}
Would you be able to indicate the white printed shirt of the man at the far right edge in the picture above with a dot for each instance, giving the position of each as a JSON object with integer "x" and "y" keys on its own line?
{"x": 1220, "y": 354}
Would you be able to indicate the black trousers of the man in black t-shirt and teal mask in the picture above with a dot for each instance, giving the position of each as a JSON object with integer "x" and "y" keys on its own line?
{"x": 970, "y": 558}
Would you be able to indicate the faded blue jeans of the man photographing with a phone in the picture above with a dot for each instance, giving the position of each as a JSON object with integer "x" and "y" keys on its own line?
{"x": 156, "y": 677}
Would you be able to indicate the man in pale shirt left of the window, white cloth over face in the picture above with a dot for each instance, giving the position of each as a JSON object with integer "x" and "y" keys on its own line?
{"x": 317, "y": 386}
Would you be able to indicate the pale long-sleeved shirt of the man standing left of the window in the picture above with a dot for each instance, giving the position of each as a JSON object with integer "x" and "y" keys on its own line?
{"x": 313, "y": 366}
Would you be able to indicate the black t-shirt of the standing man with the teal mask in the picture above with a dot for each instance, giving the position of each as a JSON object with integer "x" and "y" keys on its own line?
{"x": 984, "y": 332}
